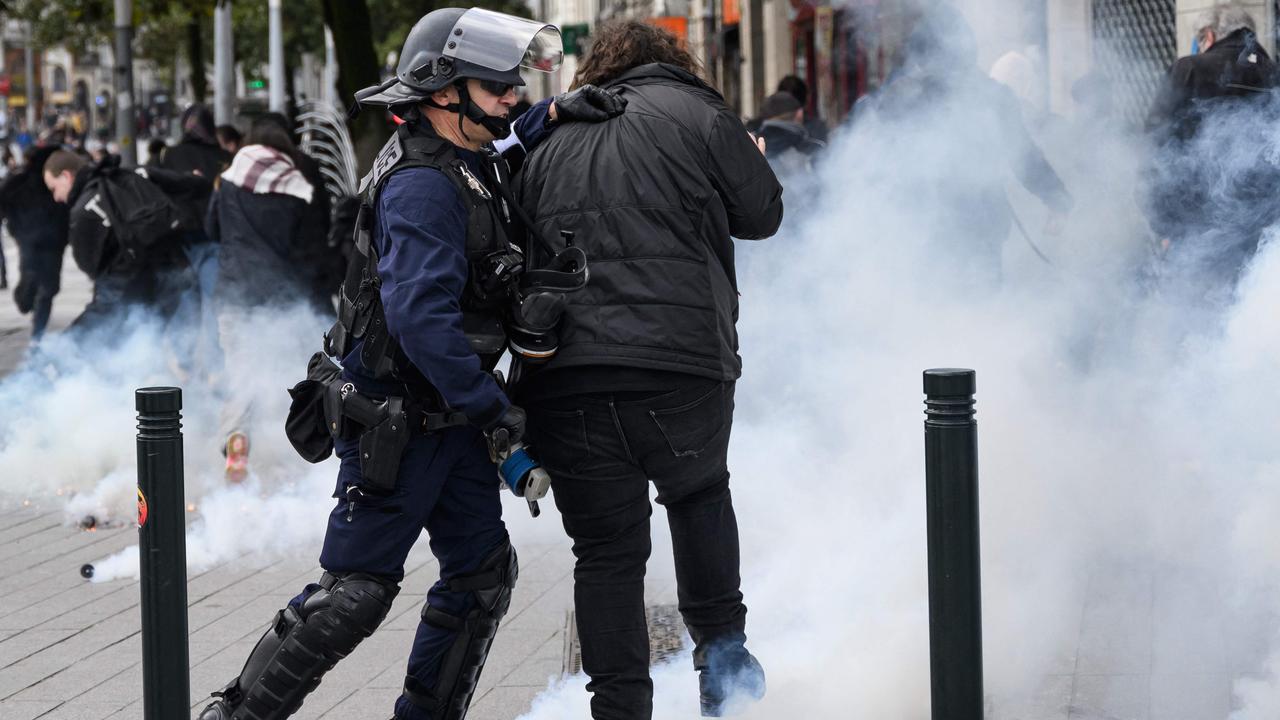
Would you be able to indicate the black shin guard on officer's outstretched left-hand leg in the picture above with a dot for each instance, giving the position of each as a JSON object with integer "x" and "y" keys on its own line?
{"x": 303, "y": 645}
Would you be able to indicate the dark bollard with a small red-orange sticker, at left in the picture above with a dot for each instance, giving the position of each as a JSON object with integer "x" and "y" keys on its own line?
{"x": 163, "y": 555}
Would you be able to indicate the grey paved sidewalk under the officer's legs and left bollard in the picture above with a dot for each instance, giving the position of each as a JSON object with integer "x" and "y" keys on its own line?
{"x": 71, "y": 650}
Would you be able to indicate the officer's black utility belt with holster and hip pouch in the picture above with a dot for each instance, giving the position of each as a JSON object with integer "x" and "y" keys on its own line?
{"x": 327, "y": 408}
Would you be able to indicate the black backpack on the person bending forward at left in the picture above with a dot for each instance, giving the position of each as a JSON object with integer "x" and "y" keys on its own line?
{"x": 141, "y": 213}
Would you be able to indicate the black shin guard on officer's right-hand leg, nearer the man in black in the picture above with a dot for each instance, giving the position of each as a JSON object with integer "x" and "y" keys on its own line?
{"x": 460, "y": 668}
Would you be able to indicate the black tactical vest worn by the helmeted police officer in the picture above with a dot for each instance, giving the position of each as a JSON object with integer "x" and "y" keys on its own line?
{"x": 486, "y": 299}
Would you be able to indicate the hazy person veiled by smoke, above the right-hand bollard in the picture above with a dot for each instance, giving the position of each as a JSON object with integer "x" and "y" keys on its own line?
{"x": 938, "y": 85}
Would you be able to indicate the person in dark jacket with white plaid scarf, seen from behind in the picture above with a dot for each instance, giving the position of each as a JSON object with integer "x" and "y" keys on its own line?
{"x": 260, "y": 218}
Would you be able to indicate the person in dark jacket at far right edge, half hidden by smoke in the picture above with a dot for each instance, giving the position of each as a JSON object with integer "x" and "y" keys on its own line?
{"x": 1210, "y": 188}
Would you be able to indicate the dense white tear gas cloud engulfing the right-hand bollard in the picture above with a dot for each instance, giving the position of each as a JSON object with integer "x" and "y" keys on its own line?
{"x": 1122, "y": 422}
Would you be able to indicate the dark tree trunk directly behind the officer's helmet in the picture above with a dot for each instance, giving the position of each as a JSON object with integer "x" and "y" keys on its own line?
{"x": 358, "y": 69}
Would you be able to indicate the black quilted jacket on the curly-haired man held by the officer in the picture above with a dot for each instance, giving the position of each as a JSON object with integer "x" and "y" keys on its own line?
{"x": 653, "y": 198}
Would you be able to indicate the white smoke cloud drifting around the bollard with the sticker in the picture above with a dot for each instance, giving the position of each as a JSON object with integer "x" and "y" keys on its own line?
{"x": 68, "y": 438}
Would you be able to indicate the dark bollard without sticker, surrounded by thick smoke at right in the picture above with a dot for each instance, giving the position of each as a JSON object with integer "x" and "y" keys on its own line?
{"x": 956, "y": 586}
